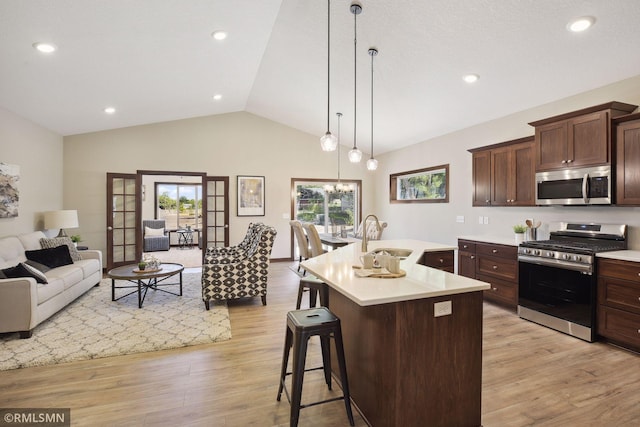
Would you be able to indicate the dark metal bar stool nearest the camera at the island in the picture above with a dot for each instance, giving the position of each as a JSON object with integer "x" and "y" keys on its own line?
{"x": 302, "y": 325}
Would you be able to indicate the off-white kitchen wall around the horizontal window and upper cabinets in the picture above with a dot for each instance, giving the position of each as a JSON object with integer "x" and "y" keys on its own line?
{"x": 437, "y": 222}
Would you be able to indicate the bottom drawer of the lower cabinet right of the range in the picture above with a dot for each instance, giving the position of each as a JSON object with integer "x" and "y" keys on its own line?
{"x": 620, "y": 326}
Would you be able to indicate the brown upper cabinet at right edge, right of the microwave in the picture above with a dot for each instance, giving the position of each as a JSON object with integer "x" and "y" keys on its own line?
{"x": 628, "y": 160}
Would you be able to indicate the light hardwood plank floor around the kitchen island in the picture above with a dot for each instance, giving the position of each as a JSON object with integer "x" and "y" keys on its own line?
{"x": 531, "y": 376}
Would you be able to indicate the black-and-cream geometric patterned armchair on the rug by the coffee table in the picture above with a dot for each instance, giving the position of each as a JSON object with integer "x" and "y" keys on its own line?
{"x": 239, "y": 274}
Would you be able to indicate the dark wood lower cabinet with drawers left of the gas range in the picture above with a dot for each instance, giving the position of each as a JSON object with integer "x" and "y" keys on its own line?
{"x": 493, "y": 263}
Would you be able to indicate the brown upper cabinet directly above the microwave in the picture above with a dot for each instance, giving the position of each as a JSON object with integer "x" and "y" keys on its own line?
{"x": 577, "y": 139}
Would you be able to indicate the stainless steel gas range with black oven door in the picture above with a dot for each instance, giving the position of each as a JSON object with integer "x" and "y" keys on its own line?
{"x": 557, "y": 277}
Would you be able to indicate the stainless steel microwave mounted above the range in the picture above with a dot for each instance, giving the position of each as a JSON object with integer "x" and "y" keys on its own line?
{"x": 581, "y": 186}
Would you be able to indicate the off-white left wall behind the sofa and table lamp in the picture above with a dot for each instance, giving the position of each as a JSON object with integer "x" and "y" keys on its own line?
{"x": 38, "y": 153}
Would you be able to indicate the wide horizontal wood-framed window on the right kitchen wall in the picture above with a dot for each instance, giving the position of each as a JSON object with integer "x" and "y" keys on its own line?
{"x": 428, "y": 185}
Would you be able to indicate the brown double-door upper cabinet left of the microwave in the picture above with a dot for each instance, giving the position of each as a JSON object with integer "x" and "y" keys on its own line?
{"x": 503, "y": 174}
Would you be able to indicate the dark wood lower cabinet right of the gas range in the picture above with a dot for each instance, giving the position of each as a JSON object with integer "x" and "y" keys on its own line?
{"x": 619, "y": 302}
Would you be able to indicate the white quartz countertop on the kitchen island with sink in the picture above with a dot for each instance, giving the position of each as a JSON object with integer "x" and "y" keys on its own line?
{"x": 336, "y": 269}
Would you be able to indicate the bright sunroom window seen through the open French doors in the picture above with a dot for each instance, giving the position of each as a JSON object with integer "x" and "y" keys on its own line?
{"x": 180, "y": 205}
